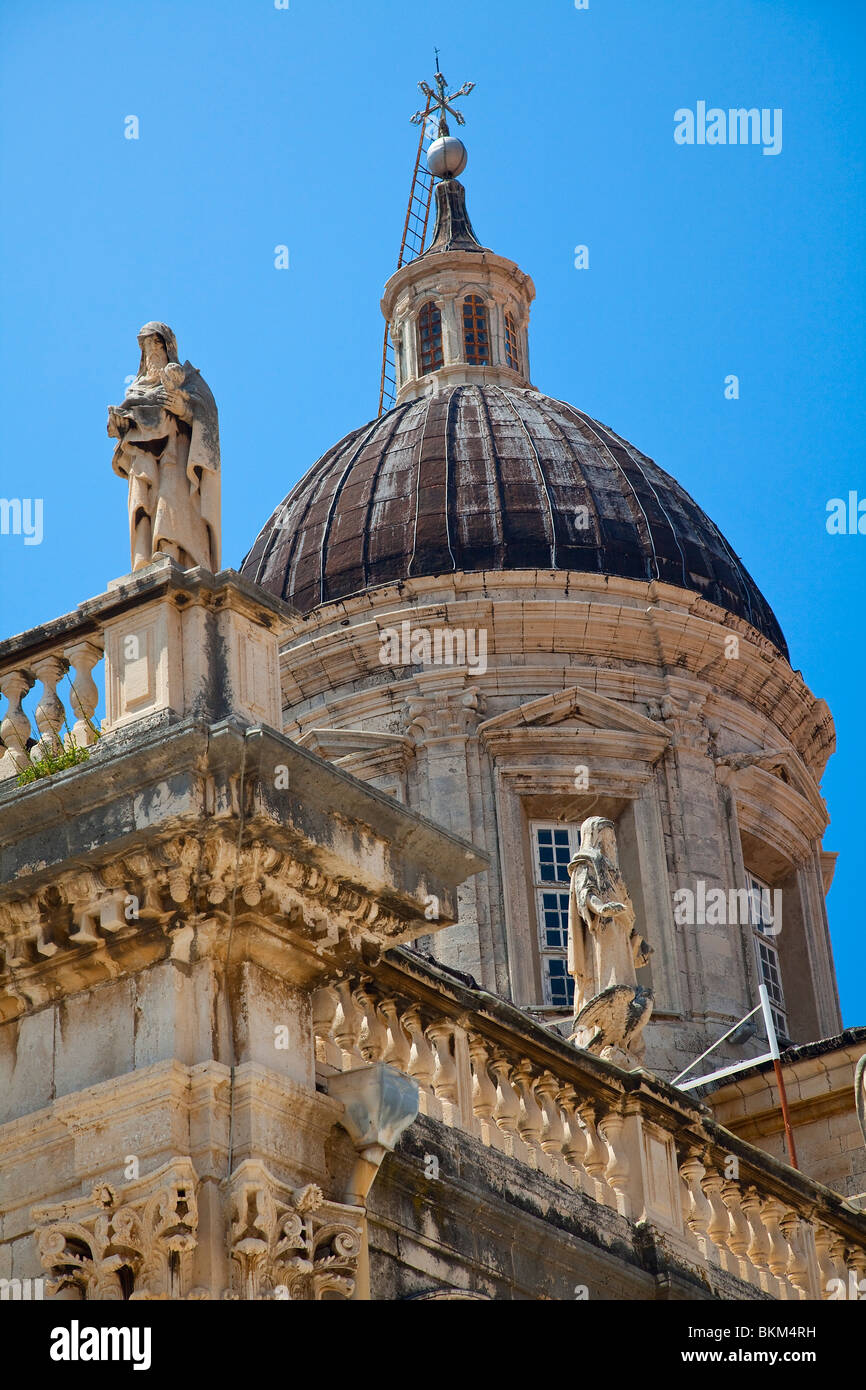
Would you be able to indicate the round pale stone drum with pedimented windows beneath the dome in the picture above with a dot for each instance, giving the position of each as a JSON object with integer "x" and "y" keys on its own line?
{"x": 630, "y": 682}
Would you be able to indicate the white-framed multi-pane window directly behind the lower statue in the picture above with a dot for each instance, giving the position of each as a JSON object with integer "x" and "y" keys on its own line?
{"x": 554, "y": 846}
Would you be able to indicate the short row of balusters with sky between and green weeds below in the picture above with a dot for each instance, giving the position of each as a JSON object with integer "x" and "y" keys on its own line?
{"x": 67, "y": 698}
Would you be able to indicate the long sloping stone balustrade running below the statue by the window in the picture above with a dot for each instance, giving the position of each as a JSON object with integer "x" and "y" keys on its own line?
{"x": 626, "y": 1140}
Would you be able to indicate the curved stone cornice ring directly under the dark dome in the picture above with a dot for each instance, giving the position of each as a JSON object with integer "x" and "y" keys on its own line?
{"x": 593, "y": 619}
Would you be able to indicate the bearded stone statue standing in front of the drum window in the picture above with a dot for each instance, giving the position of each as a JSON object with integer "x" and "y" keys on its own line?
{"x": 605, "y": 950}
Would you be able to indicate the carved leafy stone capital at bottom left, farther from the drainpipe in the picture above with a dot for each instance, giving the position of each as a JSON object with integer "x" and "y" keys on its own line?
{"x": 136, "y": 1243}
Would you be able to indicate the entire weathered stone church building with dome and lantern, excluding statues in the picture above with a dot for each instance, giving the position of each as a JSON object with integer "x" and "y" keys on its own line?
{"x": 277, "y": 989}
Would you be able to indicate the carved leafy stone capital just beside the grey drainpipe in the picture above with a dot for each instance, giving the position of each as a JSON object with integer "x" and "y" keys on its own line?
{"x": 288, "y": 1242}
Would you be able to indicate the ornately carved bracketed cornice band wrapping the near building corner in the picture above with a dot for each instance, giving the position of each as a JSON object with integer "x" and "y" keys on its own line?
{"x": 94, "y": 924}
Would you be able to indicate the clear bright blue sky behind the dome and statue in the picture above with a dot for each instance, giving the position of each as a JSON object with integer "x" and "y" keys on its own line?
{"x": 263, "y": 127}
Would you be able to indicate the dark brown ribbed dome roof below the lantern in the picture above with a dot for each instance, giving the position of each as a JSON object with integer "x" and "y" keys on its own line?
{"x": 483, "y": 477}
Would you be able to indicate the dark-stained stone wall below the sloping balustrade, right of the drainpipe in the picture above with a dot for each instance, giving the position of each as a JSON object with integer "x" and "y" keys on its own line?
{"x": 500, "y": 1231}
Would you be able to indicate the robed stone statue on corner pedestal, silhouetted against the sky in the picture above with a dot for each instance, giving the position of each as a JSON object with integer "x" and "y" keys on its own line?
{"x": 169, "y": 450}
